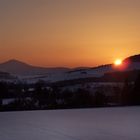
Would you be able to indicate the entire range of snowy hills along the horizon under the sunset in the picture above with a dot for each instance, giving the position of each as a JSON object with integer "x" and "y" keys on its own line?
{"x": 31, "y": 73}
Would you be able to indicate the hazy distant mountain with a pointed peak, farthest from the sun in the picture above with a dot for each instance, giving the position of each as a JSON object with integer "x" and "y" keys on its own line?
{"x": 20, "y": 68}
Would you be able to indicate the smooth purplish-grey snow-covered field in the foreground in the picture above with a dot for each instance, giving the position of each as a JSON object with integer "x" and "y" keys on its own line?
{"x": 80, "y": 124}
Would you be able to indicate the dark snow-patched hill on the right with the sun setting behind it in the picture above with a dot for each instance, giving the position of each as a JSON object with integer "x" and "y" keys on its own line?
{"x": 129, "y": 64}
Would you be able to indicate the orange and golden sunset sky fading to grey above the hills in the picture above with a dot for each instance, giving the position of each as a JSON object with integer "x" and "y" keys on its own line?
{"x": 69, "y": 33}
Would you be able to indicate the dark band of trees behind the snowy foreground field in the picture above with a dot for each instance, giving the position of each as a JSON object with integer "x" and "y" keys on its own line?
{"x": 41, "y": 96}
